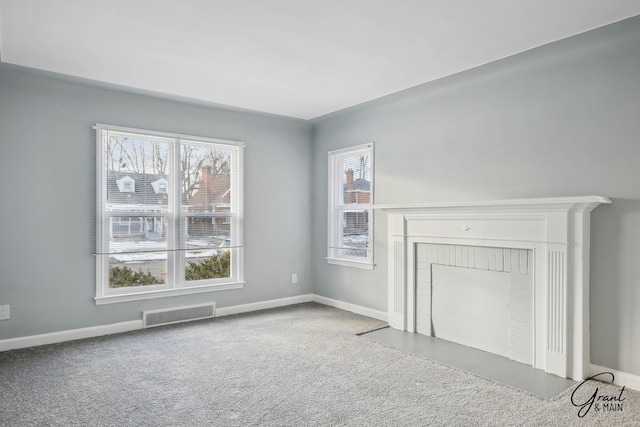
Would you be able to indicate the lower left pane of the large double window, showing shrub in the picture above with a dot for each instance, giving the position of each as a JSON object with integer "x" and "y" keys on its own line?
{"x": 137, "y": 251}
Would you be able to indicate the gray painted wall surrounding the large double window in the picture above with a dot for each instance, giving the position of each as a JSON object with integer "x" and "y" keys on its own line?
{"x": 47, "y": 158}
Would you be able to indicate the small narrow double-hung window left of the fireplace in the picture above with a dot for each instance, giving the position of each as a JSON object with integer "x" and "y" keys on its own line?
{"x": 350, "y": 199}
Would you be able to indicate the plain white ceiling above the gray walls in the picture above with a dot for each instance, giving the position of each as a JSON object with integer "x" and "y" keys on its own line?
{"x": 294, "y": 58}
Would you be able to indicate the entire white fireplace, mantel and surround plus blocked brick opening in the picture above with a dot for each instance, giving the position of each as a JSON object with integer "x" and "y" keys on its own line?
{"x": 510, "y": 277}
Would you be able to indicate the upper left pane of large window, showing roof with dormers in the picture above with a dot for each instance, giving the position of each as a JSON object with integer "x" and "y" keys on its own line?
{"x": 137, "y": 174}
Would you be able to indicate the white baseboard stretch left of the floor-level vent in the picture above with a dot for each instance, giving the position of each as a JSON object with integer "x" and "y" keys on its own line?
{"x": 70, "y": 335}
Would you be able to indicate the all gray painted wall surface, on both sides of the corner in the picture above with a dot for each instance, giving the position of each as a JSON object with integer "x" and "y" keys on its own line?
{"x": 560, "y": 120}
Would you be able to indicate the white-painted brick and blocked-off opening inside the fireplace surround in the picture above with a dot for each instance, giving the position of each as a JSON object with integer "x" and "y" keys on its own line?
{"x": 478, "y": 296}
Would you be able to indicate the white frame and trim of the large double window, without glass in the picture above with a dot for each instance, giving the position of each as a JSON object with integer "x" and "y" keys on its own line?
{"x": 105, "y": 295}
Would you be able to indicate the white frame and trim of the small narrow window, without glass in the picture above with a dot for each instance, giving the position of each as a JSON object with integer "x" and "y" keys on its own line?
{"x": 334, "y": 196}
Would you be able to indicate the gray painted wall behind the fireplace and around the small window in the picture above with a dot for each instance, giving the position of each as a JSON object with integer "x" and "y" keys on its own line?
{"x": 560, "y": 120}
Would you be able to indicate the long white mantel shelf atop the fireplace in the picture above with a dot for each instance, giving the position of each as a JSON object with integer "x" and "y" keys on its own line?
{"x": 544, "y": 203}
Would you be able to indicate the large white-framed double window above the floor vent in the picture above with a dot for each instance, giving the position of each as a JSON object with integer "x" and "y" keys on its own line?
{"x": 169, "y": 214}
